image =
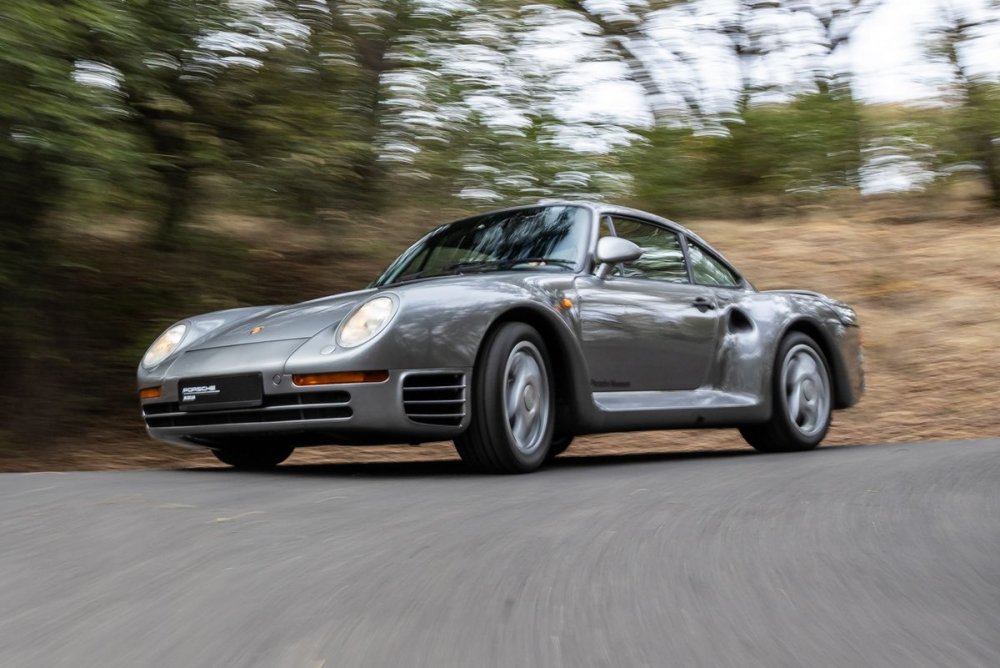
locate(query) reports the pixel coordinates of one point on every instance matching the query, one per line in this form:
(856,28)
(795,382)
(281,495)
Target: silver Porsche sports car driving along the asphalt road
(510,333)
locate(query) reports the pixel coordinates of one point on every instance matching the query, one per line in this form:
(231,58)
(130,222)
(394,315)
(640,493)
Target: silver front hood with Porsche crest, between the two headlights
(281,323)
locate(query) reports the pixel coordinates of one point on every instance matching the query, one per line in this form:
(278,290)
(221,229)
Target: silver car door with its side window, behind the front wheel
(647,326)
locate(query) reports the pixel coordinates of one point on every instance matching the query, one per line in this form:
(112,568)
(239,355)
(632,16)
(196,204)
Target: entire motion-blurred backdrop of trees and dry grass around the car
(160,158)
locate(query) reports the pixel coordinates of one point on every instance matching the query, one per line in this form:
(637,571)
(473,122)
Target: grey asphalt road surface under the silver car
(853,556)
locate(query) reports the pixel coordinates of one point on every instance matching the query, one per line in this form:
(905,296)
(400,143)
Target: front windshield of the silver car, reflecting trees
(548,238)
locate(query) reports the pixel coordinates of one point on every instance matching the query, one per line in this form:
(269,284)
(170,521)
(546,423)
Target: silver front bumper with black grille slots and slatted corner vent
(411,406)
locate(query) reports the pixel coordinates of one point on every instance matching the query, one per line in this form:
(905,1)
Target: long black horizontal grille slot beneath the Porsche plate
(276,408)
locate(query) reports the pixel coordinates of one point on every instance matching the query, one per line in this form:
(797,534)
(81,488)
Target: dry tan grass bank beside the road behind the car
(924,276)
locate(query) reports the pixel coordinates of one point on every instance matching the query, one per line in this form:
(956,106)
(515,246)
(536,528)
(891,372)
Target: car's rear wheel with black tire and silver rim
(799,367)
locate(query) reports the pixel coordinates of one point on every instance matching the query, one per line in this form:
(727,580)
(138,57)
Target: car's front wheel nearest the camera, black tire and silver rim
(513,366)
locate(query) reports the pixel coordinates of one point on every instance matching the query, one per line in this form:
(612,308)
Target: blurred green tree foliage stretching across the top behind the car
(167,112)
